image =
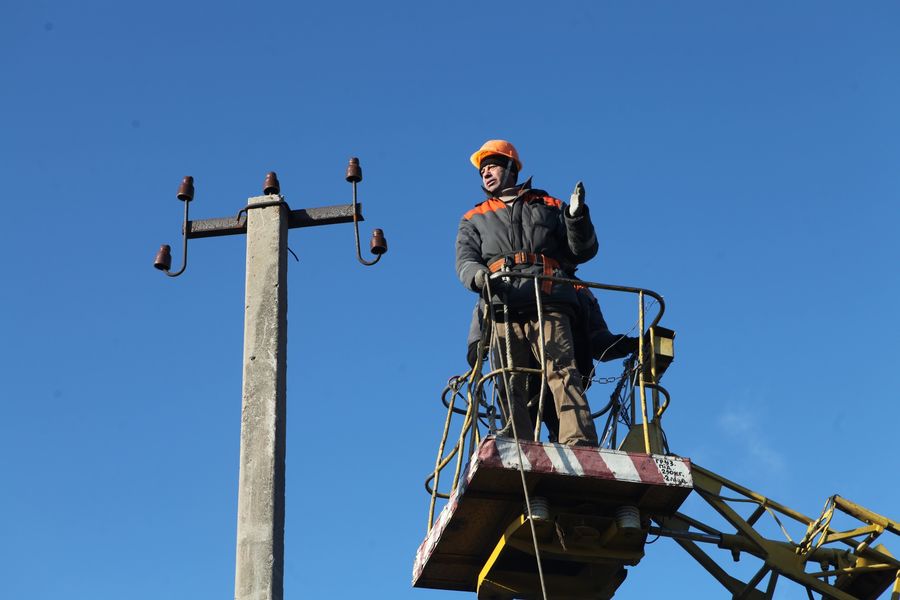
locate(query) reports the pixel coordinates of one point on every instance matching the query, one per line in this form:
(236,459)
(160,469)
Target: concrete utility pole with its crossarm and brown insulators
(259,569)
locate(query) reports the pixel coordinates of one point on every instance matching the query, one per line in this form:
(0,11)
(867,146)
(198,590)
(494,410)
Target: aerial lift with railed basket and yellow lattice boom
(538,520)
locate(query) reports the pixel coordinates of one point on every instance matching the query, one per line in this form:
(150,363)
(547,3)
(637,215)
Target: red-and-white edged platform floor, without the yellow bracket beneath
(576,480)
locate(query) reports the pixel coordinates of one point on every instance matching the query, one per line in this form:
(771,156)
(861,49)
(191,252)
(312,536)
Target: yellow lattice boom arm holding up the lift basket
(853,571)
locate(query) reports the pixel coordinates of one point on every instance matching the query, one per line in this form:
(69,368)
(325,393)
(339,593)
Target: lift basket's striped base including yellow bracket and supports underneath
(585,504)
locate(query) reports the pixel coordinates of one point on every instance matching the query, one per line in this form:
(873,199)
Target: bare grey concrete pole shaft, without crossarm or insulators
(259,570)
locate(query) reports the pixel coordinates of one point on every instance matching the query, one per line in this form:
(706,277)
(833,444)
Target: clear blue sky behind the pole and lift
(739,158)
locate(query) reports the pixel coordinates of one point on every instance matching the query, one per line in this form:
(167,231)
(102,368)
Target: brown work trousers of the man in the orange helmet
(563,378)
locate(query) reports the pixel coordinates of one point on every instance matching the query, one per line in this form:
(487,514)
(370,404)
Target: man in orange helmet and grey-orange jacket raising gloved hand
(521,229)
